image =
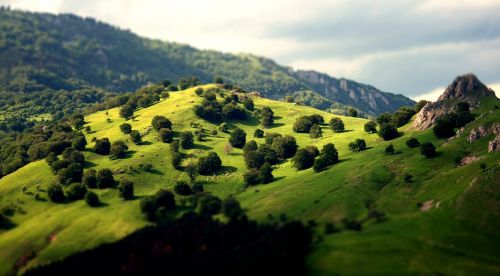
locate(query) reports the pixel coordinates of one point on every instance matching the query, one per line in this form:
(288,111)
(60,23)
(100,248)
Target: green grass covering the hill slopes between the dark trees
(458,235)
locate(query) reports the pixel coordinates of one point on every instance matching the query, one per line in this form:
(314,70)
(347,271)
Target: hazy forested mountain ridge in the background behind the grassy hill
(65,52)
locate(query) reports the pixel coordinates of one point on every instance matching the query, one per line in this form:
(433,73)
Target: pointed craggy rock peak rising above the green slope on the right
(466,88)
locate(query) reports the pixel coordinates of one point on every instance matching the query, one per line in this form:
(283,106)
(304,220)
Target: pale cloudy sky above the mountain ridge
(412,47)
